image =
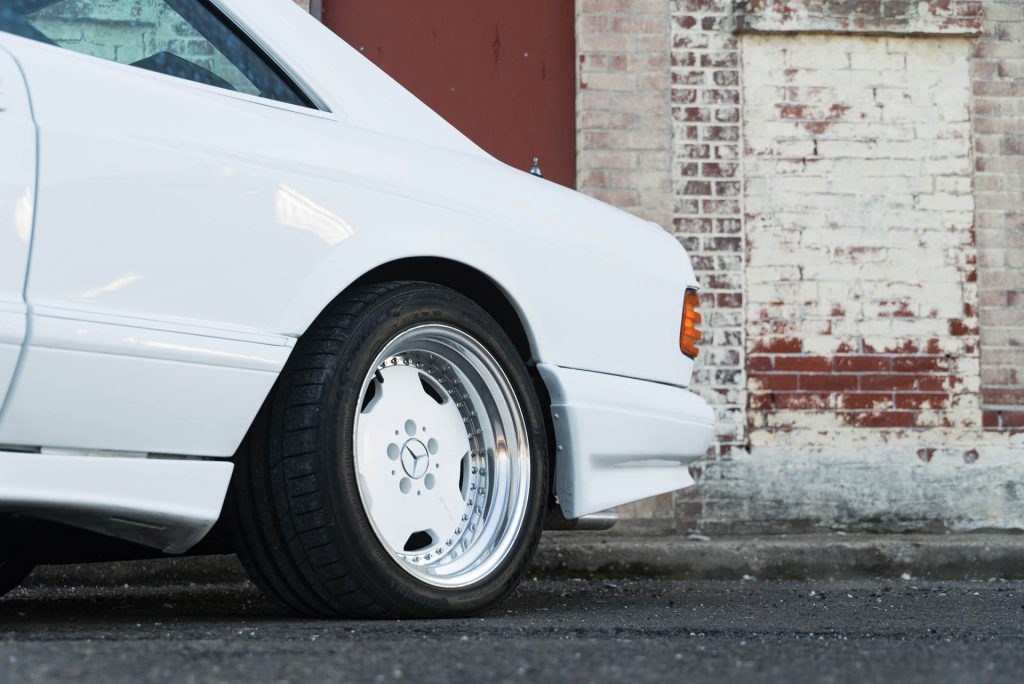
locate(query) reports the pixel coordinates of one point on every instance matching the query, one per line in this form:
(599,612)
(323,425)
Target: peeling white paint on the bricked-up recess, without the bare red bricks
(878,228)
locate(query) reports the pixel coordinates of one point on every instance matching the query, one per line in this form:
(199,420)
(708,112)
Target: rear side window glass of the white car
(189,39)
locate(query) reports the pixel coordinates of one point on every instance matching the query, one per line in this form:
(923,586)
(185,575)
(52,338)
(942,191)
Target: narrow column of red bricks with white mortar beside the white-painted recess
(708,211)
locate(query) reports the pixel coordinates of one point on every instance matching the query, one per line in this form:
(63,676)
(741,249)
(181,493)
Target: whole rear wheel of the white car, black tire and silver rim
(400,467)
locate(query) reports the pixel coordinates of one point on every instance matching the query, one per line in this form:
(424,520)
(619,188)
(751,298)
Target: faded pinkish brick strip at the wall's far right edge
(999,121)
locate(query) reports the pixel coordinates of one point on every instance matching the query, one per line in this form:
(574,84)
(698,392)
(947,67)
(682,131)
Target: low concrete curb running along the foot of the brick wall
(607,555)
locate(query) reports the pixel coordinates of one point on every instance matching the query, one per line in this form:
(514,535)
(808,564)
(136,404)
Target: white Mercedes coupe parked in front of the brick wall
(250,285)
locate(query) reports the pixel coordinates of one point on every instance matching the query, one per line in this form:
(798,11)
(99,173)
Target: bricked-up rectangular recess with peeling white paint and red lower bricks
(862,298)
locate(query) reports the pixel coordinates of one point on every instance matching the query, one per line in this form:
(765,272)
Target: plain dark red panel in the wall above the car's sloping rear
(501,72)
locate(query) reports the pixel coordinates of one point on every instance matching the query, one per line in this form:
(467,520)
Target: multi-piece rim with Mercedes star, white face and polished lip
(442,456)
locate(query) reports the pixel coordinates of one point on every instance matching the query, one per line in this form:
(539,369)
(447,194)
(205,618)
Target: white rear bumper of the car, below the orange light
(621,440)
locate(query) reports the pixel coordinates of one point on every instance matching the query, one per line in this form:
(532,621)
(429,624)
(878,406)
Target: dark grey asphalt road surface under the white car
(200,621)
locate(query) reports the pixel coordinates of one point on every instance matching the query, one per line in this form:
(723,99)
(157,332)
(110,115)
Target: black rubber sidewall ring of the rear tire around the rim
(399,591)
